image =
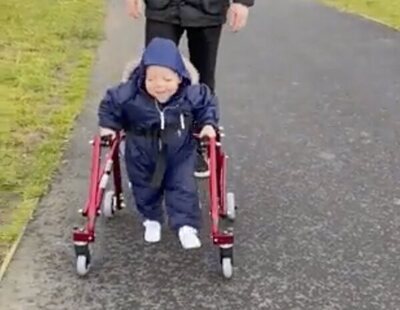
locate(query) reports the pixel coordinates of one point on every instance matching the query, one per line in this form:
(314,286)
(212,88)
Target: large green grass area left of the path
(47,48)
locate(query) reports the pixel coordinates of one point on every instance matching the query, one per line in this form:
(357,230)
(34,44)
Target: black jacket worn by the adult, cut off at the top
(190,13)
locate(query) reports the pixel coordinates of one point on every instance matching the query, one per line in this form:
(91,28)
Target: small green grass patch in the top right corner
(386,11)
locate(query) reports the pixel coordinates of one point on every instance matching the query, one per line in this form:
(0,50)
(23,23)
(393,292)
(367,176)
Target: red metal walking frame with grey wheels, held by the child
(106,203)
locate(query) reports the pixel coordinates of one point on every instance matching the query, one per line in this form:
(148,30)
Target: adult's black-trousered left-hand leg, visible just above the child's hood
(155,28)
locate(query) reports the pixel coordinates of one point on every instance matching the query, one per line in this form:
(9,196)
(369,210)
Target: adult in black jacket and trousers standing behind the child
(202,20)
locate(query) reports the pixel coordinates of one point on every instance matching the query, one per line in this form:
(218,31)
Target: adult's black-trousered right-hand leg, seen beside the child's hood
(203,45)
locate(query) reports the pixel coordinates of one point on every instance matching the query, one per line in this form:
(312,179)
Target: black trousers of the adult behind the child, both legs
(203,45)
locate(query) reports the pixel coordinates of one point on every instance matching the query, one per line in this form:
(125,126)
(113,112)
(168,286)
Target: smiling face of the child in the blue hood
(161,82)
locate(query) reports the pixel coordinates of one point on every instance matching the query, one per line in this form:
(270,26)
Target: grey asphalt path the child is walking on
(310,103)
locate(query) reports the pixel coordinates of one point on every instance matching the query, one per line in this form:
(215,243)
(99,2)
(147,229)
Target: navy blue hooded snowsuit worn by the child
(161,161)
